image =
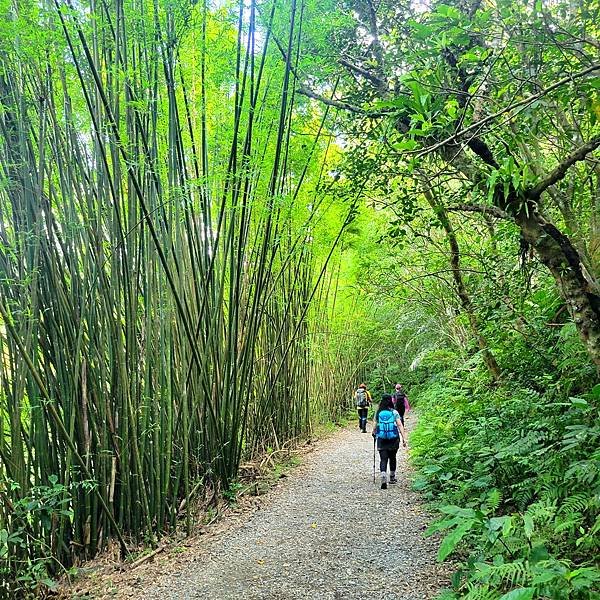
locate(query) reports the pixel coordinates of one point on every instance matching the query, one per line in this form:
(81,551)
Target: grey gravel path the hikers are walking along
(324,532)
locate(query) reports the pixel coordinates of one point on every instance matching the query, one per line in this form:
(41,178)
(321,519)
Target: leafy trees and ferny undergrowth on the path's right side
(459,111)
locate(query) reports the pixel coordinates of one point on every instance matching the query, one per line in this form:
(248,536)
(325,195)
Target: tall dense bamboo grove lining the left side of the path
(162,297)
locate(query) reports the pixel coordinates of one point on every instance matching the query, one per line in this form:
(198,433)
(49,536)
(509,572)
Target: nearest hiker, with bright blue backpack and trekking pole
(388,428)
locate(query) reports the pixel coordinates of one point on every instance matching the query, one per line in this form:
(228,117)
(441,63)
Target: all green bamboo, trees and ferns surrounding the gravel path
(184,259)
